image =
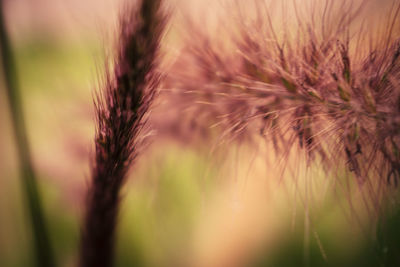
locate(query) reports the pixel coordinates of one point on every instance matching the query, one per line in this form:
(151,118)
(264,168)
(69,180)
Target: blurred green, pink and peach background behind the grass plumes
(185,204)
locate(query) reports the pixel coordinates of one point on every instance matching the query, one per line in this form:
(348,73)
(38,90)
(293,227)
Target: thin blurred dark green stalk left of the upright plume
(42,244)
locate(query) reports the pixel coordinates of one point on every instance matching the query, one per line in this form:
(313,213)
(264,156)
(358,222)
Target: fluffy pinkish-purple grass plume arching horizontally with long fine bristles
(323,85)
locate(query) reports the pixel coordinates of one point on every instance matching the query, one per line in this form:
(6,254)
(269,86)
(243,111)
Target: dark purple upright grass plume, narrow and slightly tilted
(122,107)
